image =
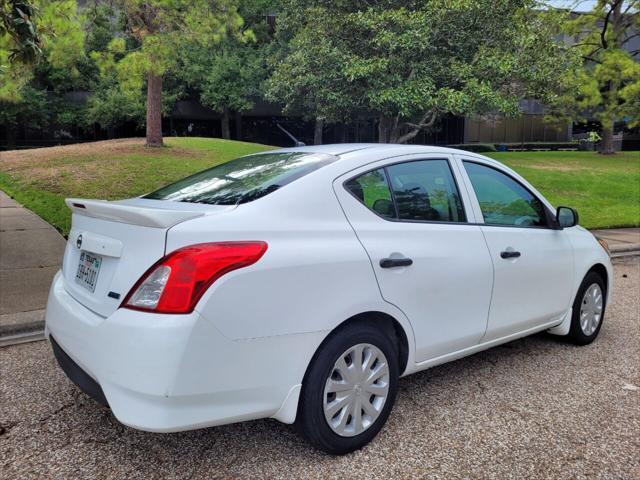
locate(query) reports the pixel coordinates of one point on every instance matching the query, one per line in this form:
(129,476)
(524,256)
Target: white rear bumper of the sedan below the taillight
(166,373)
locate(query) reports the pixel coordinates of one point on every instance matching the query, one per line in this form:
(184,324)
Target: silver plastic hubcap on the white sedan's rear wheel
(356,390)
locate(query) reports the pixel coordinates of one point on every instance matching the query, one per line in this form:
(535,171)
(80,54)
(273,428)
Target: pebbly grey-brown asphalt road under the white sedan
(534,408)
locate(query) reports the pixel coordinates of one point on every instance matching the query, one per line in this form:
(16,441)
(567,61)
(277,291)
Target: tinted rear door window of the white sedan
(423,190)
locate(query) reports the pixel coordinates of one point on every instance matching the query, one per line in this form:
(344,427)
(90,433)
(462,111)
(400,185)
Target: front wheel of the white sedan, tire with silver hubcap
(589,288)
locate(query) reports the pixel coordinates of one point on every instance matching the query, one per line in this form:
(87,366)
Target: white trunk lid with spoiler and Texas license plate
(111,244)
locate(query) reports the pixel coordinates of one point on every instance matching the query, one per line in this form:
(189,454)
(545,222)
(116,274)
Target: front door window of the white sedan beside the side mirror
(503,200)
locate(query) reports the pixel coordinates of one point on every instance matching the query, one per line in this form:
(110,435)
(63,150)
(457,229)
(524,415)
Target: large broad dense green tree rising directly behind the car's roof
(410,62)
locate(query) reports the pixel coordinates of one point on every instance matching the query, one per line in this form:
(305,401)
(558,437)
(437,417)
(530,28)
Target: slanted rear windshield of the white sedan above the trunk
(244,179)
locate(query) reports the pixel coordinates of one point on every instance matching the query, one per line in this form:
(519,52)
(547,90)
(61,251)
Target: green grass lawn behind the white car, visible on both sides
(604,190)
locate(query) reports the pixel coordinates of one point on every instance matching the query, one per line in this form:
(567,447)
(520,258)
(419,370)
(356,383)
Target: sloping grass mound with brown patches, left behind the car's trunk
(41,179)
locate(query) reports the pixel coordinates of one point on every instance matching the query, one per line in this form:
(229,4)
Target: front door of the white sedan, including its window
(533,262)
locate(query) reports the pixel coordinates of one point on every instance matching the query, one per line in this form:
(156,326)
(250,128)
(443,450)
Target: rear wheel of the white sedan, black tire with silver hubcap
(375,345)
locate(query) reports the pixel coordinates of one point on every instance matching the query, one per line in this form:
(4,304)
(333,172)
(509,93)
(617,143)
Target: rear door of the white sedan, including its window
(428,257)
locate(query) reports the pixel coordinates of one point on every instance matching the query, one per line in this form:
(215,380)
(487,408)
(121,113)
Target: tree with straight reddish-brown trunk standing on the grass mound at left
(160,27)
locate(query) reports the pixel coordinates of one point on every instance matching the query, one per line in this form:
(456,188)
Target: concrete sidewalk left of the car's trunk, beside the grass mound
(30,254)
